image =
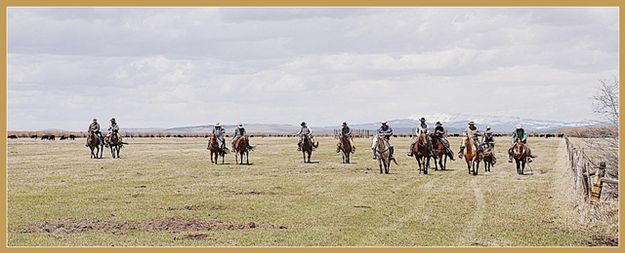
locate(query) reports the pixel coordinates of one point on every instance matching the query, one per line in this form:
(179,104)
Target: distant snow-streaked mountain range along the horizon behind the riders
(452,122)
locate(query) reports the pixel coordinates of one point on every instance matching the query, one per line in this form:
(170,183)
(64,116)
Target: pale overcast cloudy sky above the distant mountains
(170,67)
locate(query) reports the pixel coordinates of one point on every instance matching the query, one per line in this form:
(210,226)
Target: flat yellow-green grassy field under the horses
(166,192)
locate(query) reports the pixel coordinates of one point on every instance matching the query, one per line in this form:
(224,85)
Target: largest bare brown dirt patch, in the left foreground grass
(173,224)
